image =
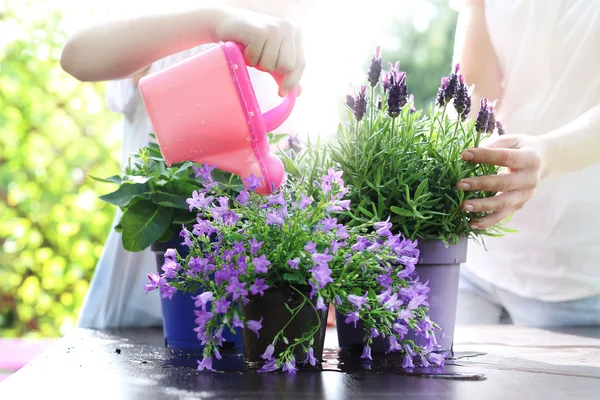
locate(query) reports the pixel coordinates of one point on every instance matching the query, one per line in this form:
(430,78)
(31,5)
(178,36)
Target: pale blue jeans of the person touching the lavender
(480,302)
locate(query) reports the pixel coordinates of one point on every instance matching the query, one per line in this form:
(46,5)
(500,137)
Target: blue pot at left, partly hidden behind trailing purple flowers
(178,313)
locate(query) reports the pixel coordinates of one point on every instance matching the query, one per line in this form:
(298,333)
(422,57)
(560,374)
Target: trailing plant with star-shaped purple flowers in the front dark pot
(245,245)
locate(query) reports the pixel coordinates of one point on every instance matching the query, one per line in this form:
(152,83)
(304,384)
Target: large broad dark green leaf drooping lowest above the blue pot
(143,225)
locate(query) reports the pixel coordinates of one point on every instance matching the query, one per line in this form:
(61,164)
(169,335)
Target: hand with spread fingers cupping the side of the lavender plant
(523,157)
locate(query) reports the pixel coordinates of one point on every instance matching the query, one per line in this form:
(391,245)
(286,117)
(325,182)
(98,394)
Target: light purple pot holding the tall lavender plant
(440,265)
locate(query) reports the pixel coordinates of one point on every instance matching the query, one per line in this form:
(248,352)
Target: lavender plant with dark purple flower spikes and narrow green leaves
(402,163)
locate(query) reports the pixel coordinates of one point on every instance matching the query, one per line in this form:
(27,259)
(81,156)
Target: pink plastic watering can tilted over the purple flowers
(204,109)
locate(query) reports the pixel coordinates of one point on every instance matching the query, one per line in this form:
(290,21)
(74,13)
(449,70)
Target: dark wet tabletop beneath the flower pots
(491,362)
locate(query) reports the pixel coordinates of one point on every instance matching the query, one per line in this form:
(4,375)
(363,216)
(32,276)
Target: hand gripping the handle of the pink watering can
(272,44)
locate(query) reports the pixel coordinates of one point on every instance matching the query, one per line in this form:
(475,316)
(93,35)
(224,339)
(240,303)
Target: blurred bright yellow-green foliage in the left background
(54,131)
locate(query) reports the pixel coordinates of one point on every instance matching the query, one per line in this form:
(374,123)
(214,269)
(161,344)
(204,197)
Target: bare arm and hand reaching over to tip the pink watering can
(120,48)
